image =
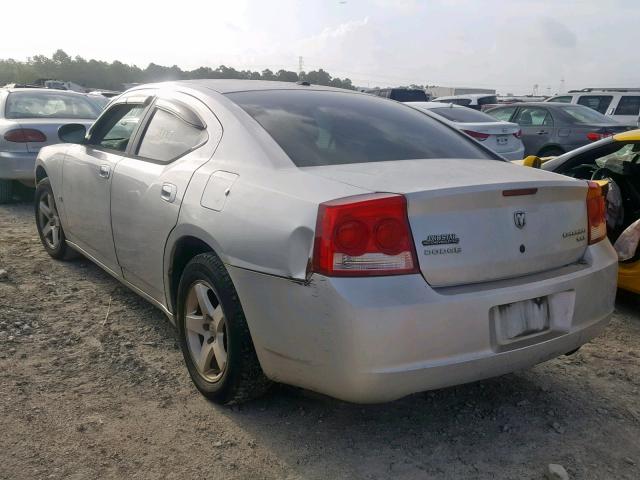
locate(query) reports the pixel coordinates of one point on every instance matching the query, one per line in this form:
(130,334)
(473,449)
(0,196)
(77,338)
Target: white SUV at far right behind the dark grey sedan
(621,104)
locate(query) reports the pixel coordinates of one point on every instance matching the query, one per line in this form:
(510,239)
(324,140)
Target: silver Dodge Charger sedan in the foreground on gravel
(327,239)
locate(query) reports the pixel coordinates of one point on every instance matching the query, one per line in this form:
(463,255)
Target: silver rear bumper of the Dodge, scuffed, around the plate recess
(380,338)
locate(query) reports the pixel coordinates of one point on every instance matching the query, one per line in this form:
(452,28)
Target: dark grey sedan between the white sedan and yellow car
(550,129)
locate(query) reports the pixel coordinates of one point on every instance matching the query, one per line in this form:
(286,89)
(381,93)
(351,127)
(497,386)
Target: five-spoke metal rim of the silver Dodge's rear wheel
(206,331)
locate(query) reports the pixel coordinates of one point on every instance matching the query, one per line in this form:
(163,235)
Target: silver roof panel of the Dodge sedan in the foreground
(231,85)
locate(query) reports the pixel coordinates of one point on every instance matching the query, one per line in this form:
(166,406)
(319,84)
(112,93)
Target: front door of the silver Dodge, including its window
(87,177)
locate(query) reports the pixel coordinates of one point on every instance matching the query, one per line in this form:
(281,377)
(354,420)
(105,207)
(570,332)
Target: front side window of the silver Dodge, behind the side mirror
(114,130)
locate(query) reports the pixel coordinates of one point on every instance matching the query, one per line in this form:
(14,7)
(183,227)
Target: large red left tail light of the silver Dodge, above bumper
(364,235)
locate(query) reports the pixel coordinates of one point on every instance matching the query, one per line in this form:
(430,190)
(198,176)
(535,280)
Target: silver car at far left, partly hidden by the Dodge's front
(29,120)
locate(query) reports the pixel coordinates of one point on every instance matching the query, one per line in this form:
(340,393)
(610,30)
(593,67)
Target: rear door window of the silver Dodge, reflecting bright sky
(168,137)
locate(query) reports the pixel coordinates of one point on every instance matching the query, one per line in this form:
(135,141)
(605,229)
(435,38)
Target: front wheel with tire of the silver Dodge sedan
(48,221)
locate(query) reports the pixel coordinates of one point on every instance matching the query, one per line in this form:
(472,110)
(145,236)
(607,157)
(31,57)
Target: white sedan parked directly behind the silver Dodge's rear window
(501,137)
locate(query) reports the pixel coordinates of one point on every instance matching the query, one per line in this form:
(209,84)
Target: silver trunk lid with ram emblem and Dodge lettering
(467,224)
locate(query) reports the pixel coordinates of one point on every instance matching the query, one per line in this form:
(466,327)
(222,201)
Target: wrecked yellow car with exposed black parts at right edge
(615,159)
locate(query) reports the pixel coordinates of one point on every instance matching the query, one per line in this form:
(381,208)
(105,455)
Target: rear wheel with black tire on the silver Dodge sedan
(214,335)
